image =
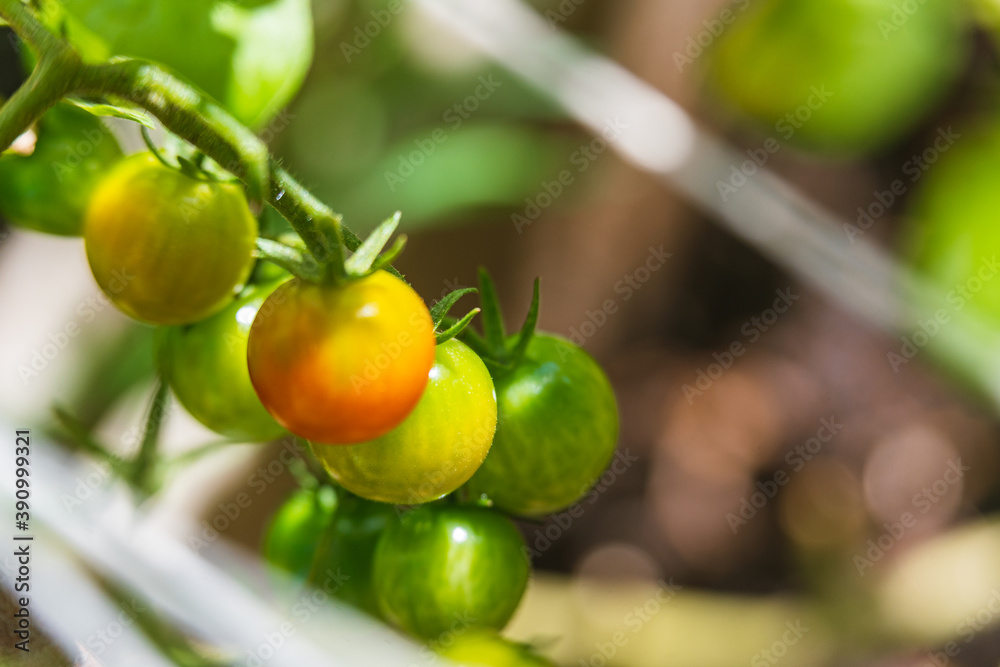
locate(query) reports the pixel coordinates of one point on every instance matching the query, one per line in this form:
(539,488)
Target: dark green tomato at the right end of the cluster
(557,430)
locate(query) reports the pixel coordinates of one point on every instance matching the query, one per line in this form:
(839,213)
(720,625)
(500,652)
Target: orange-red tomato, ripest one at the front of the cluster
(341,365)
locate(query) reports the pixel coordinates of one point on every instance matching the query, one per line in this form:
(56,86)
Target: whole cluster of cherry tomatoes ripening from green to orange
(428,438)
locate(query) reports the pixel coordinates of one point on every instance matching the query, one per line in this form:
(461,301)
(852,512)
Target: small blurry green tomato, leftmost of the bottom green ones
(294,534)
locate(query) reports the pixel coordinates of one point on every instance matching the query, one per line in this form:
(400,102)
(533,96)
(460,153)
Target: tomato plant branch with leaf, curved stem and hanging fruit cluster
(328,342)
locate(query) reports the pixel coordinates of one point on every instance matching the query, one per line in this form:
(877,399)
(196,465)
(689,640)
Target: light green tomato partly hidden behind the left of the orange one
(206,366)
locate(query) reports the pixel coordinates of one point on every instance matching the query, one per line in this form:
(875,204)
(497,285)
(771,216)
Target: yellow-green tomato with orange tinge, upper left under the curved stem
(166,248)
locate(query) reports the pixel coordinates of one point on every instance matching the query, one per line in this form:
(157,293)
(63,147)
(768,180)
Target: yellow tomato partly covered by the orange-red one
(438,446)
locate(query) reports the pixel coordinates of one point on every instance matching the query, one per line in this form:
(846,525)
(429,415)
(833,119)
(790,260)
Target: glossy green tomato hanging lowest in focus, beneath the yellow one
(448,568)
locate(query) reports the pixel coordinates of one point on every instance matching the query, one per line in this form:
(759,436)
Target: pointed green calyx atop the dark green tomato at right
(501,353)
